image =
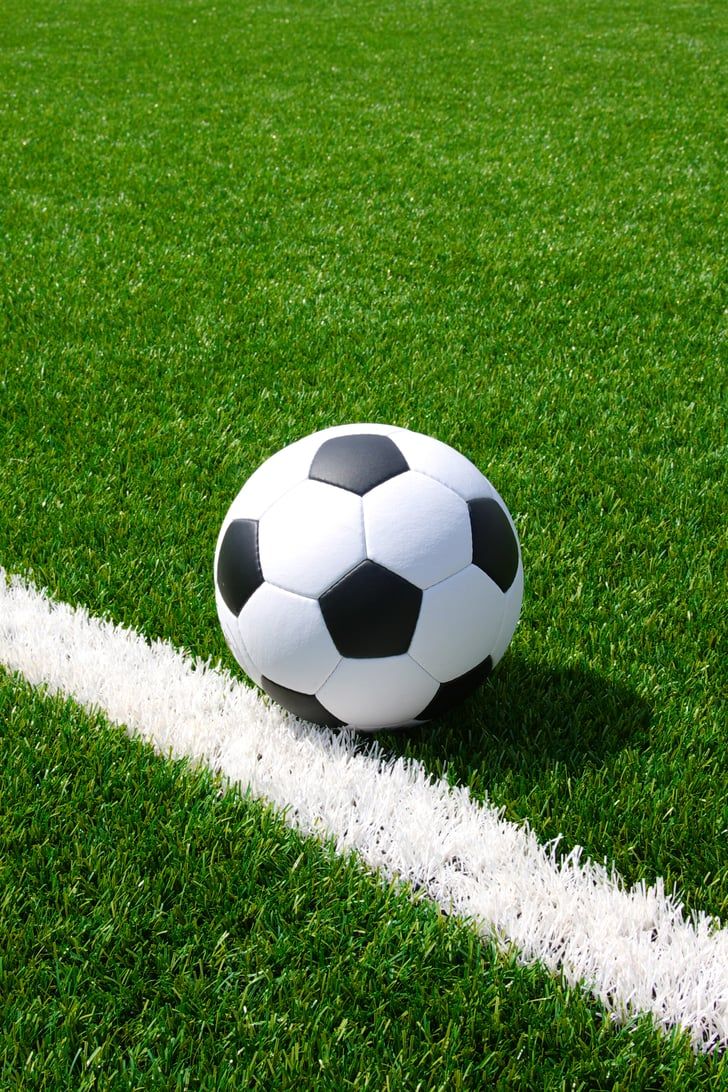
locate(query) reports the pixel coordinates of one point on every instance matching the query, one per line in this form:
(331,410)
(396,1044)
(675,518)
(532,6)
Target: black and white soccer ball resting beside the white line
(369,577)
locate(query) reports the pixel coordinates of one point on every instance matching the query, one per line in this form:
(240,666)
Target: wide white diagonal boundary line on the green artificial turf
(634,948)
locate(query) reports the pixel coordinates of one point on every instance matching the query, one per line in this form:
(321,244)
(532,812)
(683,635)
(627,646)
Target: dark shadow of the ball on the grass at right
(527,718)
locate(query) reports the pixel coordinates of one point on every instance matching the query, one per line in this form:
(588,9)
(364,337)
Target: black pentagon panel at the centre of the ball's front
(372,612)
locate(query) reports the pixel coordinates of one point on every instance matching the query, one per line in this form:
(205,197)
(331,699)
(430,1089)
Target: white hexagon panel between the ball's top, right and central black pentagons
(417,528)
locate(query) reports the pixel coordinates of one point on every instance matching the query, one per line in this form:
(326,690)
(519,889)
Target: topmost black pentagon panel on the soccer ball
(357,462)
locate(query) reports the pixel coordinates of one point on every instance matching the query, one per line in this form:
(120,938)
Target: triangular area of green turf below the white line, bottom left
(161,934)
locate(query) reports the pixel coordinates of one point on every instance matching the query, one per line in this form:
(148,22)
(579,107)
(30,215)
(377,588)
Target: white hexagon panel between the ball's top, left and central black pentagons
(311,538)
